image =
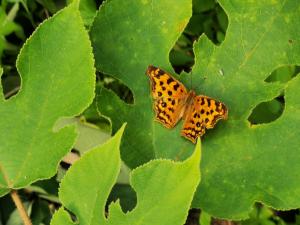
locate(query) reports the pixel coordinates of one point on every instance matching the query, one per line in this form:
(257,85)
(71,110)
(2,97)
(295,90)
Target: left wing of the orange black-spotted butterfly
(169,96)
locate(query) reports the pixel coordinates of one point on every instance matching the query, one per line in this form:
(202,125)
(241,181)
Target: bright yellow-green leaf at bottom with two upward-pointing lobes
(159,185)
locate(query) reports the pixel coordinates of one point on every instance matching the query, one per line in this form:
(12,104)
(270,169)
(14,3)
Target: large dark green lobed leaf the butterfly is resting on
(241,163)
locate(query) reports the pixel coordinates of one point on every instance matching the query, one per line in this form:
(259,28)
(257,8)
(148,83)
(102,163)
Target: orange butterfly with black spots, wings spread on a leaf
(172,102)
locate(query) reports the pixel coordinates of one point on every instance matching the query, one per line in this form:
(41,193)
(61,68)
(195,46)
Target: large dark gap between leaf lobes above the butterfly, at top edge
(208,17)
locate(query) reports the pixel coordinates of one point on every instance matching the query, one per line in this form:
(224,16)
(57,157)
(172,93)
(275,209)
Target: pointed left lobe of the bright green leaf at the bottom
(86,185)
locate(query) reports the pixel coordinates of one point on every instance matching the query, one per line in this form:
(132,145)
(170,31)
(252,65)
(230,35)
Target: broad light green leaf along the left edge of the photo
(56,67)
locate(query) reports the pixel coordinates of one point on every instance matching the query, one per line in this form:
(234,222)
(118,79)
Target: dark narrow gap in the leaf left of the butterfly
(116,86)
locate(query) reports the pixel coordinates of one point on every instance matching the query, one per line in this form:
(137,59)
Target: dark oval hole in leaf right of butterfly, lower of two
(267,112)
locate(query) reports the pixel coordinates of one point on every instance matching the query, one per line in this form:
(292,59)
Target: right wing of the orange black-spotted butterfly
(202,113)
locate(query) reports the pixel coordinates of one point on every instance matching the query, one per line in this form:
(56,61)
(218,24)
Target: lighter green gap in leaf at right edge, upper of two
(283,74)
